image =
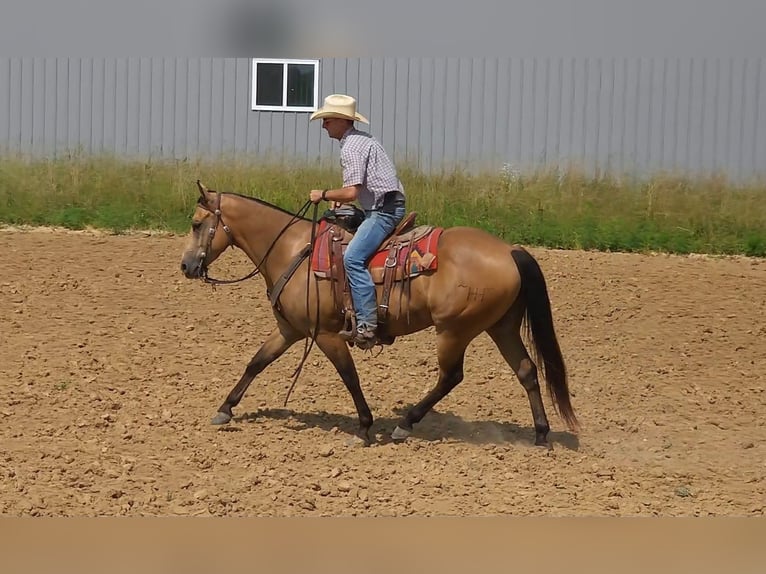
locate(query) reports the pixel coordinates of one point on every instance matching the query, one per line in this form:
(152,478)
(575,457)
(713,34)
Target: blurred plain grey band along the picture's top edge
(316,28)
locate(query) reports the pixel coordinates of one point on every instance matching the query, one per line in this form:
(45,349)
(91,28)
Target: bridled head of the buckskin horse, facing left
(208,237)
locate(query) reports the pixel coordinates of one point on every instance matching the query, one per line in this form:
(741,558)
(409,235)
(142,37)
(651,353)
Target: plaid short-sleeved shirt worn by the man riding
(365,163)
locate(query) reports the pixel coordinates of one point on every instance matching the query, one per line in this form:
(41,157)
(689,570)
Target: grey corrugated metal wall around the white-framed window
(623,115)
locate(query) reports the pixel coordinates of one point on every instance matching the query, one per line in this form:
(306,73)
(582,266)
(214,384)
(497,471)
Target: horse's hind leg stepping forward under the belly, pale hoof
(451,354)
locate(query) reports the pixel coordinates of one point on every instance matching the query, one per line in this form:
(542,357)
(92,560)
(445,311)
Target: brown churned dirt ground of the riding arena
(112,365)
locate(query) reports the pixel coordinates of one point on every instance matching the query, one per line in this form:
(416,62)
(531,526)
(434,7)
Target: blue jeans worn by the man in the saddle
(371,233)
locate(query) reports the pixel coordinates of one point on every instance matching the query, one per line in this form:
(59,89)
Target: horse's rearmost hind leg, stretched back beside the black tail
(506,336)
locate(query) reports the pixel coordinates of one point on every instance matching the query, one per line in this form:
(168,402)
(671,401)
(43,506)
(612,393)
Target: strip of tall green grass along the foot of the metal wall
(661,213)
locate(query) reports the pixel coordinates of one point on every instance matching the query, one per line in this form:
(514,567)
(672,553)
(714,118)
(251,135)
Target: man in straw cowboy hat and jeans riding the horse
(369,176)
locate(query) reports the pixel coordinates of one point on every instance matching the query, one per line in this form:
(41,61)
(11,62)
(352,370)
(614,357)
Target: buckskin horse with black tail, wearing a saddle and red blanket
(463,281)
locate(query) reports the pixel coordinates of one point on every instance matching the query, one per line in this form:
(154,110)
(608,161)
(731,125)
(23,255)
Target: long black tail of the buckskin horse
(539,321)
